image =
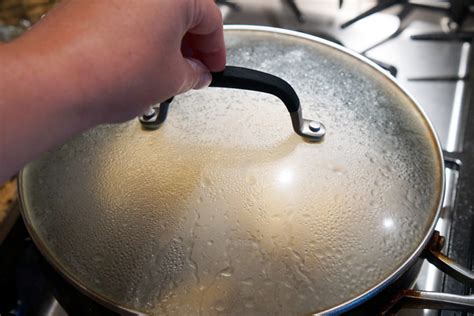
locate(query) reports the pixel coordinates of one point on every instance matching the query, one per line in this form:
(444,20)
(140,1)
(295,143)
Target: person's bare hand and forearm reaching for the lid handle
(92,62)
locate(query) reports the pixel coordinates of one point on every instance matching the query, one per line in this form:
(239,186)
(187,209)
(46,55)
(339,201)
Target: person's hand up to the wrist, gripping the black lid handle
(119,56)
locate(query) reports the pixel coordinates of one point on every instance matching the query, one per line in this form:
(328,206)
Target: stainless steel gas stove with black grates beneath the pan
(425,45)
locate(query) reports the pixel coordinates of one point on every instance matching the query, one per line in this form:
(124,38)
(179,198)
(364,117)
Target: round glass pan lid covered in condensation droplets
(225,209)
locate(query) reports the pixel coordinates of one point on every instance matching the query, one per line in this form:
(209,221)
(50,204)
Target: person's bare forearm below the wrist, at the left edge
(39,107)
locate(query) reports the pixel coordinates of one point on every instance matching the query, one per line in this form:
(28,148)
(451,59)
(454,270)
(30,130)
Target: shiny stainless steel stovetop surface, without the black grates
(435,73)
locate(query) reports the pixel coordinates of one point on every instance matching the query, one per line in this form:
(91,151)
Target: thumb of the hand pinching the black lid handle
(196,75)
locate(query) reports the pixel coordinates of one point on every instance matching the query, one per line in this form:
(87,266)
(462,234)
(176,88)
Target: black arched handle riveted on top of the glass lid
(250,79)
